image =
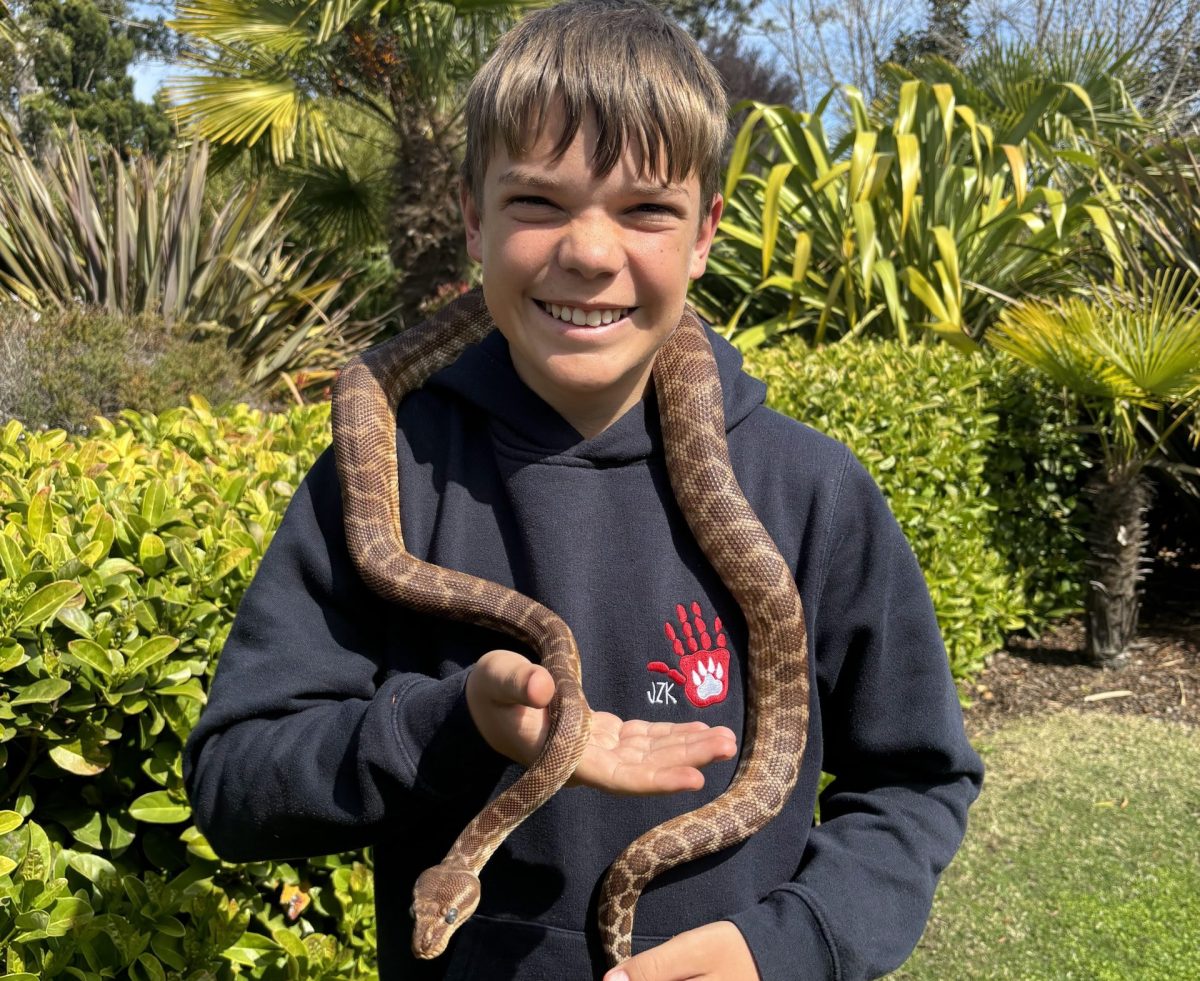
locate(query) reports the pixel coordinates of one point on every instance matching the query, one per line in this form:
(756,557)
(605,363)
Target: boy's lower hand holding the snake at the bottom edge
(713,953)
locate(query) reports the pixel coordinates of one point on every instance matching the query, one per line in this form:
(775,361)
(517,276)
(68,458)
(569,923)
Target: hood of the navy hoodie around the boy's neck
(485,378)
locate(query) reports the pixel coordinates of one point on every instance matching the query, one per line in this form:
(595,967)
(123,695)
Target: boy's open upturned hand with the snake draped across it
(508,695)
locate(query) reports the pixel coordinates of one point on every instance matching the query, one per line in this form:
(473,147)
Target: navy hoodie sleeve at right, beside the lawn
(904,772)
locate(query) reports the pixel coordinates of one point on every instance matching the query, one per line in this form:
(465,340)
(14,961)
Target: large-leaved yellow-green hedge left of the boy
(123,558)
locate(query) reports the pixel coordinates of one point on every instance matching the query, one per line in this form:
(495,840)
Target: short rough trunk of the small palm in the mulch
(1118,543)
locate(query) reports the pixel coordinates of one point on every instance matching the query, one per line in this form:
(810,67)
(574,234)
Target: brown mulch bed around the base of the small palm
(1048,675)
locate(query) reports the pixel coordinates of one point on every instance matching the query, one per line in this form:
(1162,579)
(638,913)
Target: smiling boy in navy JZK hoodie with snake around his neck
(338,721)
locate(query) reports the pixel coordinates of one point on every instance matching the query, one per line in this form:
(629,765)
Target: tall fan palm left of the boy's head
(278,80)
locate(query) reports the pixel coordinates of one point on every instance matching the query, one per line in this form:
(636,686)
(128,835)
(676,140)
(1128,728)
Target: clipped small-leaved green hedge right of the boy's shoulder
(982,470)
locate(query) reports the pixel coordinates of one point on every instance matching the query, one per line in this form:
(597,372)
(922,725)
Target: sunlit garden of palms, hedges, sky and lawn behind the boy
(964,239)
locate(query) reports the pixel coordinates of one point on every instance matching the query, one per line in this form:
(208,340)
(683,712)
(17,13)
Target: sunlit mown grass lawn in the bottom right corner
(1082,859)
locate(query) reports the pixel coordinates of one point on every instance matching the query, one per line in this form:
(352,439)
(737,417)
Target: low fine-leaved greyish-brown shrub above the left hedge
(61,369)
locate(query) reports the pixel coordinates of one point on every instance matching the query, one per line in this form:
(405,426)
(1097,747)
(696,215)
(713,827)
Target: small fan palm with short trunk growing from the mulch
(1129,357)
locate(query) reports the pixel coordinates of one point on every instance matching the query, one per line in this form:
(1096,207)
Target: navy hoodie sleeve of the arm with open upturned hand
(313,739)
